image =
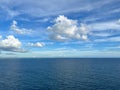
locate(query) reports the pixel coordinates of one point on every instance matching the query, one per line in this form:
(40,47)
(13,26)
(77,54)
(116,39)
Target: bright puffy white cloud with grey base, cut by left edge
(11,44)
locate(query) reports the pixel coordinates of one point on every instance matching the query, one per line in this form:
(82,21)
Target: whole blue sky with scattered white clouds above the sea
(59,28)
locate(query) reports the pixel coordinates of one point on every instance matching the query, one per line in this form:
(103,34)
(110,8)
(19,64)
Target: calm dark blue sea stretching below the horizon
(60,74)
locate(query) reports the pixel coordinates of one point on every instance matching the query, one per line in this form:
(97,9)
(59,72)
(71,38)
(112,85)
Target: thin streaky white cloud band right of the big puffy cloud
(108,29)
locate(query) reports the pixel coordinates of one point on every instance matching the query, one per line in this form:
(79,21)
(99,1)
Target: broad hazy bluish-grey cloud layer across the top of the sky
(42,8)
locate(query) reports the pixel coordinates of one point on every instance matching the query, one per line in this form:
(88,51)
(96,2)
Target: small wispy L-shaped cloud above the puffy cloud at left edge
(19,30)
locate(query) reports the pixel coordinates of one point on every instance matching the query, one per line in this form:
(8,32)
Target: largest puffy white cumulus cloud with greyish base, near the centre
(67,29)
